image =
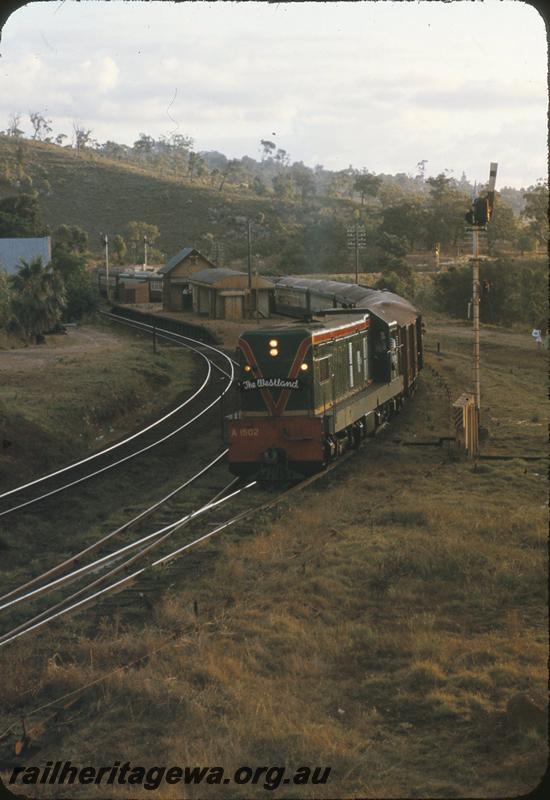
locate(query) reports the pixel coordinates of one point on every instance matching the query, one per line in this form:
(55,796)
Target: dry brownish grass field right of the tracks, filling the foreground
(389,622)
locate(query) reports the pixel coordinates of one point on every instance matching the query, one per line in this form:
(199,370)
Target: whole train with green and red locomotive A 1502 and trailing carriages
(314,386)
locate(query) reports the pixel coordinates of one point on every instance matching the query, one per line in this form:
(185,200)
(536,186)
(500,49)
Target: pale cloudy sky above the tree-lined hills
(378,85)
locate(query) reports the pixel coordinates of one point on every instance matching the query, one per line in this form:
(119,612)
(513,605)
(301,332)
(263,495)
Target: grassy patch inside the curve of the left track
(51,412)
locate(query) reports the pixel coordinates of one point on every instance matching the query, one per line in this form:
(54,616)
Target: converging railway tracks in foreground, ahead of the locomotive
(105,586)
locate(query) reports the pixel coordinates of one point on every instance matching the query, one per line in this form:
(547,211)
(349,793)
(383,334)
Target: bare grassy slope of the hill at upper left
(100,194)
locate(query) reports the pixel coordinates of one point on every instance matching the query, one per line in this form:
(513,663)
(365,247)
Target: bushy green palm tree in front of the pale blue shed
(38,297)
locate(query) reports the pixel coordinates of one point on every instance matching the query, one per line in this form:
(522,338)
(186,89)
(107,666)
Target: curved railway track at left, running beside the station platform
(192,409)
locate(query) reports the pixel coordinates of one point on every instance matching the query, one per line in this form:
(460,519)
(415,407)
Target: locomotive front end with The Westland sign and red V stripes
(274,434)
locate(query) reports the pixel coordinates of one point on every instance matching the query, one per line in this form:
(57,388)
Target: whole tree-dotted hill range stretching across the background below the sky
(300,216)
